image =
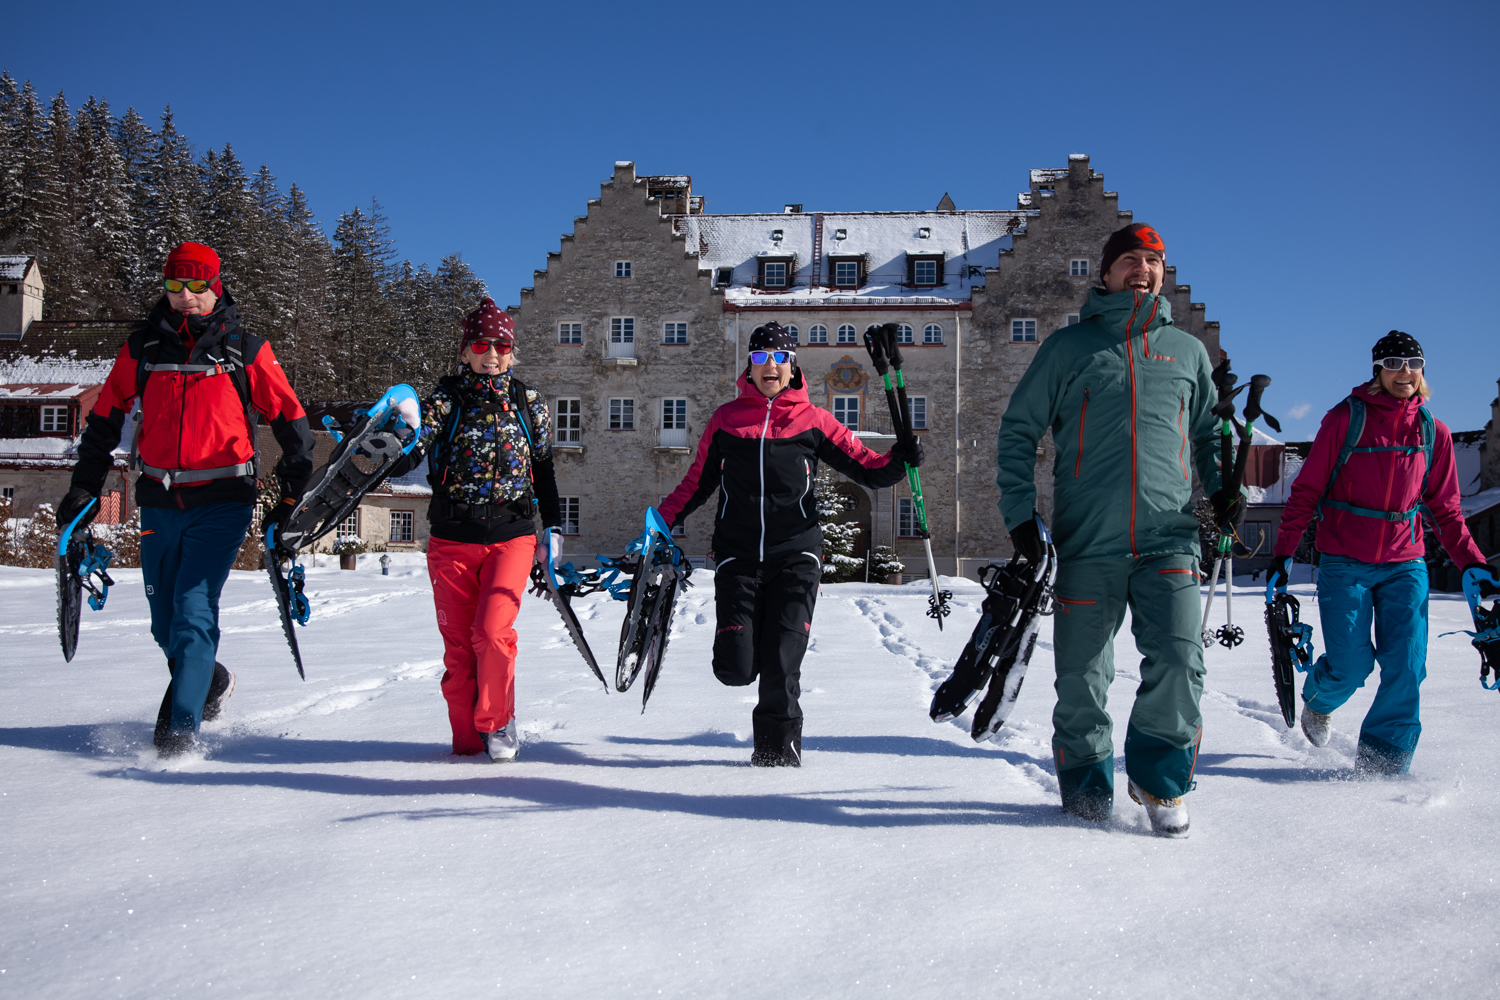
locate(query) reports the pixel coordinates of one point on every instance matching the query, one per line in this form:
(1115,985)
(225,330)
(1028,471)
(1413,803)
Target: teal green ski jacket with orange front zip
(1129,400)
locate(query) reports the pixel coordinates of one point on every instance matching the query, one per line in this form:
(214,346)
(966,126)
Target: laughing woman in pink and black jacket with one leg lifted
(761,454)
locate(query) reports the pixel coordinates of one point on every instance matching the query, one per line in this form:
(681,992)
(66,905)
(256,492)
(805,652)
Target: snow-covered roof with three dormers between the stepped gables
(883,239)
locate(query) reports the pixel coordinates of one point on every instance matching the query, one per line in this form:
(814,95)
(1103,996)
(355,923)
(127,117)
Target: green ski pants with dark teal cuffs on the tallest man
(1162,741)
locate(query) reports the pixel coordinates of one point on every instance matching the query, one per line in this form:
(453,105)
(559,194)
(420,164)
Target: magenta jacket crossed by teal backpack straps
(1378,481)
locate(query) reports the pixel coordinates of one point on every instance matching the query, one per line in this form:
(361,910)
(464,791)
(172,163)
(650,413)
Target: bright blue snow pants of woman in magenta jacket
(1349,596)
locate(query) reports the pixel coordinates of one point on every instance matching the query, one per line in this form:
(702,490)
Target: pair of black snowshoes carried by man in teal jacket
(1018,596)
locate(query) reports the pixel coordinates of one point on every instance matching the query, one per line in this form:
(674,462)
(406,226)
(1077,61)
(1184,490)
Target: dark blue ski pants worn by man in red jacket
(185,560)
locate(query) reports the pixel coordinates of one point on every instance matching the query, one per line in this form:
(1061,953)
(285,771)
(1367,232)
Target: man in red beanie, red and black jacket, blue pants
(202,382)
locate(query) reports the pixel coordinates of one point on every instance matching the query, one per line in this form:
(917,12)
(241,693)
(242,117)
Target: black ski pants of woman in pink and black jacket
(766,615)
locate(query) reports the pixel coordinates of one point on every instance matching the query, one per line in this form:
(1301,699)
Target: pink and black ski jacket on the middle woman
(763,455)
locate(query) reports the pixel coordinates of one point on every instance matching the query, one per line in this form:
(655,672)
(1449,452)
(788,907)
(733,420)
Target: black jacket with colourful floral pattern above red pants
(491,457)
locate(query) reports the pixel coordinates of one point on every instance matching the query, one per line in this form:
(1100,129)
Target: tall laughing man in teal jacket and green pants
(1129,400)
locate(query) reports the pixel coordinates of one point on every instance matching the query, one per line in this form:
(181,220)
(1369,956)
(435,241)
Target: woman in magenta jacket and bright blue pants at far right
(1370,507)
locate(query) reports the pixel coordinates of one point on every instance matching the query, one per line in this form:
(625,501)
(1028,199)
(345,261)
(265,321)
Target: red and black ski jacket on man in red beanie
(196,421)
